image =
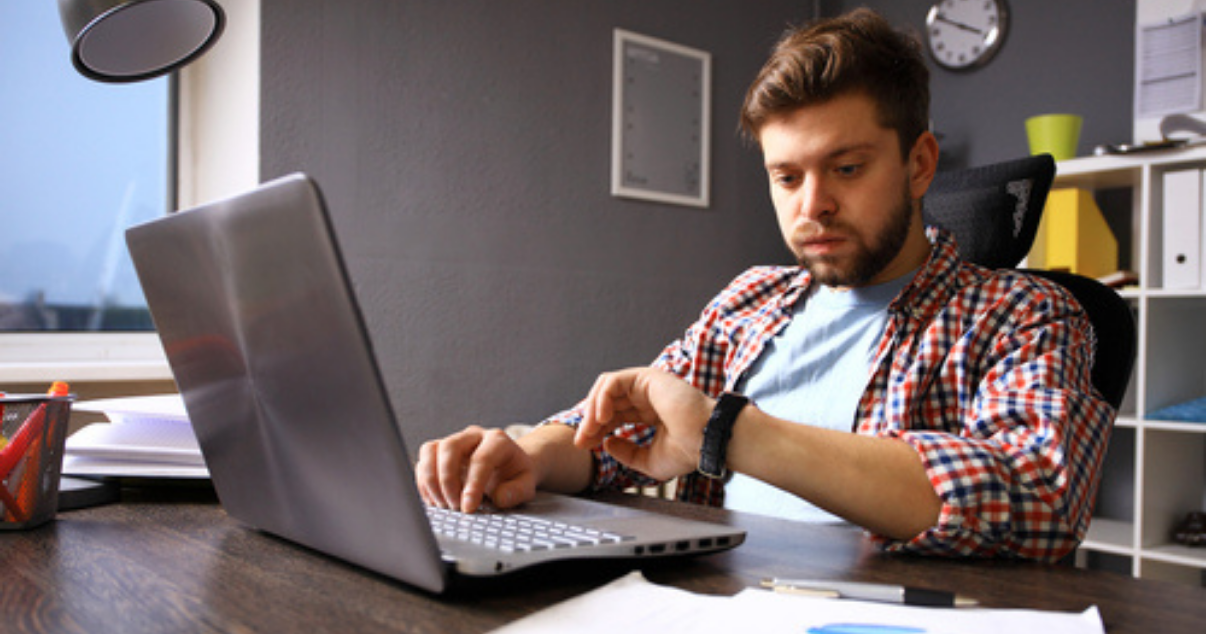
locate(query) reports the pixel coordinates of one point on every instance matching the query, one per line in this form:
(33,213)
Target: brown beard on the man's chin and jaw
(870,260)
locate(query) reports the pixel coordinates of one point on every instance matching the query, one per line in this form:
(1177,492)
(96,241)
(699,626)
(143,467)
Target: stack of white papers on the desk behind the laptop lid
(147,437)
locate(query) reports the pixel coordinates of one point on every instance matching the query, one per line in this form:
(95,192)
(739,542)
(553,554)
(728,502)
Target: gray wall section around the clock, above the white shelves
(1062,56)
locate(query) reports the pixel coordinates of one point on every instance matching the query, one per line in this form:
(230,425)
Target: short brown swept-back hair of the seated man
(857,52)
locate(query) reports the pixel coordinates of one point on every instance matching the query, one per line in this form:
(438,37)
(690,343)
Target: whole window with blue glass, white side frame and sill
(80,269)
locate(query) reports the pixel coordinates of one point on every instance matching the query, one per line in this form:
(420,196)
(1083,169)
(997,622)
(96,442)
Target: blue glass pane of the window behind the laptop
(81,162)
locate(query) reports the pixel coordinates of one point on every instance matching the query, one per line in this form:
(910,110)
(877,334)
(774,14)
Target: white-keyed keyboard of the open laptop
(517,532)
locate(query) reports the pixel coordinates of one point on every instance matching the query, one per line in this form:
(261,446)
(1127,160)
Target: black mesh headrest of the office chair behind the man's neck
(993,210)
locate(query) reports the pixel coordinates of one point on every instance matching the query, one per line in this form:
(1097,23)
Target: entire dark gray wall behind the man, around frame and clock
(465,145)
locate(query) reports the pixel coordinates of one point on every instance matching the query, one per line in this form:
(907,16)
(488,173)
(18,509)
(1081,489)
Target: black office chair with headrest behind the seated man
(994,214)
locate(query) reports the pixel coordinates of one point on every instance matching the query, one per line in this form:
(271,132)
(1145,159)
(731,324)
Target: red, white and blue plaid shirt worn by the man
(985,373)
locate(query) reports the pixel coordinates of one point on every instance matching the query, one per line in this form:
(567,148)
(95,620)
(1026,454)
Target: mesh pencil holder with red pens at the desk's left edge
(32,439)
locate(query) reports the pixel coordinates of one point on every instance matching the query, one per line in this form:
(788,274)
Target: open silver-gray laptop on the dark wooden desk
(261,327)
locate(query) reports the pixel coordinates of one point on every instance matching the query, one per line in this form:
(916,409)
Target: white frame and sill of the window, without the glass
(214,151)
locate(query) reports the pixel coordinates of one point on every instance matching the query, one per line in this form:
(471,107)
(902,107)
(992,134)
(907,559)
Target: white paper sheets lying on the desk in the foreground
(634,606)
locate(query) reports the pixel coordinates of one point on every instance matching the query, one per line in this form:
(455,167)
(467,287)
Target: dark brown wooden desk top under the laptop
(182,565)
